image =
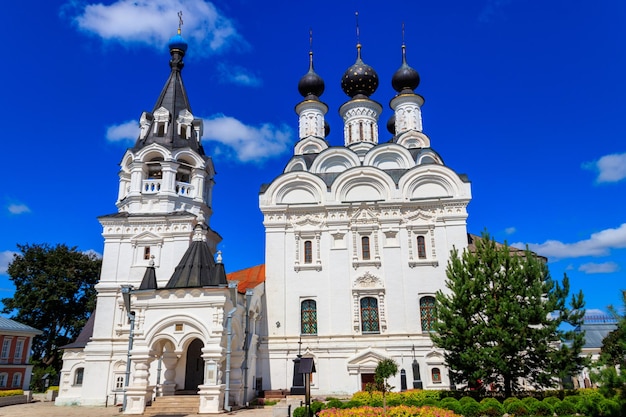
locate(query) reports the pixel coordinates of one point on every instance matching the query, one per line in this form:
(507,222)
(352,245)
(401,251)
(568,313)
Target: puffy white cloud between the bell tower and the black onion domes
(246,143)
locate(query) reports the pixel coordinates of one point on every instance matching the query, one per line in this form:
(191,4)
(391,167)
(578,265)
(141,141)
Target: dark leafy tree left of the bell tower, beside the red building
(54,292)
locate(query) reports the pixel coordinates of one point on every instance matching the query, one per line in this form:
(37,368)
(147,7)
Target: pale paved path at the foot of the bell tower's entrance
(48,409)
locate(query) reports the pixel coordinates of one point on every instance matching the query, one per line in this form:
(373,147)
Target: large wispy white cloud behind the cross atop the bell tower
(153,22)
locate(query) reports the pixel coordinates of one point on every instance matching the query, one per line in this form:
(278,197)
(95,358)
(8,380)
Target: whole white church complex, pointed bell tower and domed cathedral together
(357,241)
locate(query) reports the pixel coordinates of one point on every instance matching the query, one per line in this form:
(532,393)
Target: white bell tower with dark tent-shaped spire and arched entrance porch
(167,320)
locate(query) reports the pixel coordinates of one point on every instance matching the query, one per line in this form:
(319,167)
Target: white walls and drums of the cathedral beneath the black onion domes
(354,229)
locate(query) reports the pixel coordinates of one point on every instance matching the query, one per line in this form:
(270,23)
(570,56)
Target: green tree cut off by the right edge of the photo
(610,373)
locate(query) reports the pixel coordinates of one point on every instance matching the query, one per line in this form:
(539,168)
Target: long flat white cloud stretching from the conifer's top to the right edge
(598,244)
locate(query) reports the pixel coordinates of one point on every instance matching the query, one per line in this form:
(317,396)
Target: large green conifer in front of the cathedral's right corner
(503,318)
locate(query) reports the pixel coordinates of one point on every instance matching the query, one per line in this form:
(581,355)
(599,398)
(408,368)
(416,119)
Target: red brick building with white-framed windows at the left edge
(16,340)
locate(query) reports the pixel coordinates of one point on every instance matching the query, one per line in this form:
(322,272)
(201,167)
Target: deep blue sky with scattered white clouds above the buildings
(526,98)
